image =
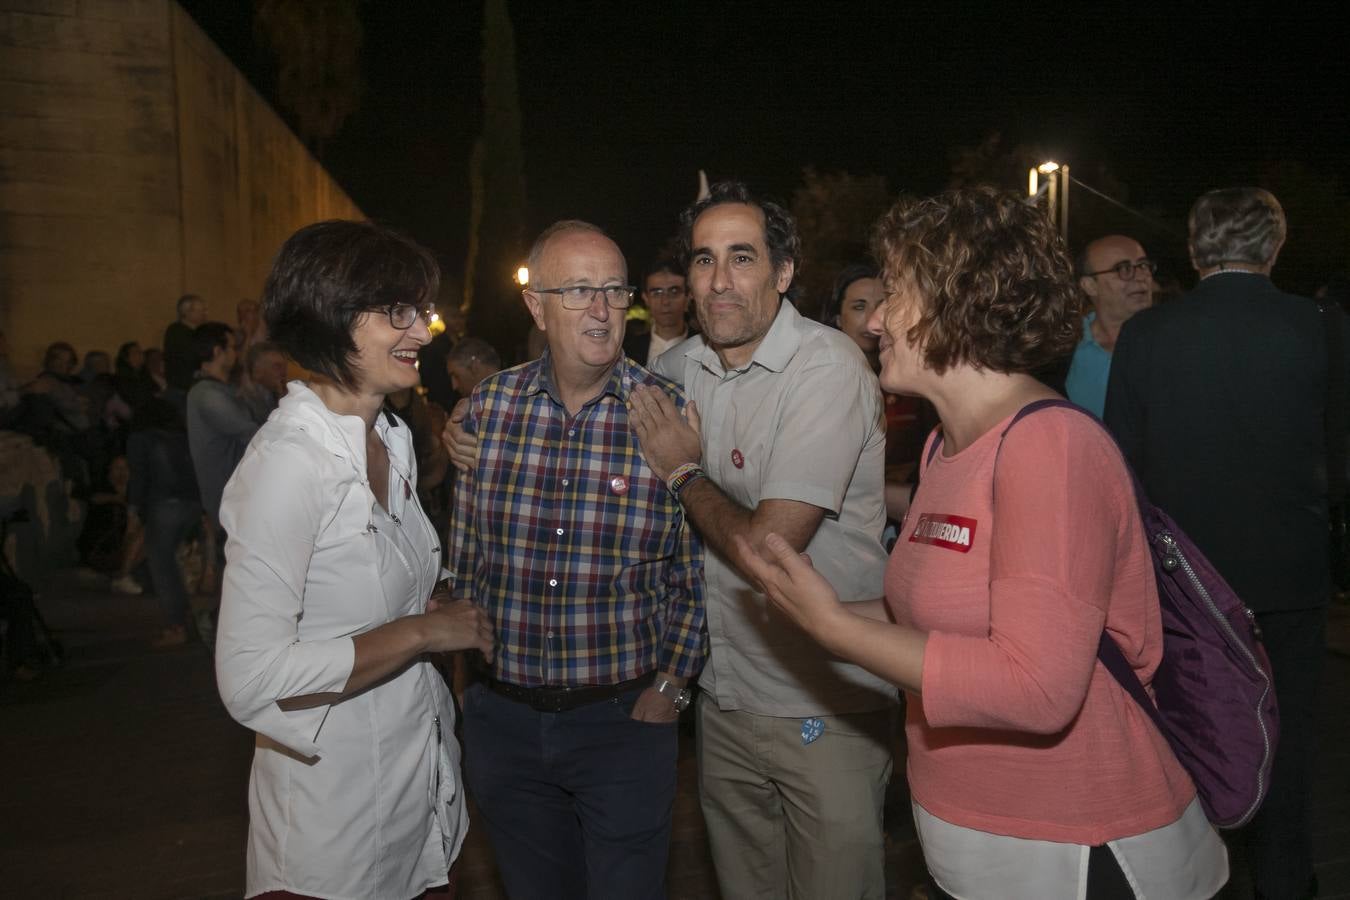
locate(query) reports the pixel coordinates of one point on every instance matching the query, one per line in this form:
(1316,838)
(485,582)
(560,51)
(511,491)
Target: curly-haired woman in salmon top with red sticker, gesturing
(1033,774)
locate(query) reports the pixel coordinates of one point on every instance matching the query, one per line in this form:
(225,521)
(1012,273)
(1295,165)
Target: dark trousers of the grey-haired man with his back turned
(1279,839)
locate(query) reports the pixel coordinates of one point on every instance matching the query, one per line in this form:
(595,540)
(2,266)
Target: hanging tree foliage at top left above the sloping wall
(318,52)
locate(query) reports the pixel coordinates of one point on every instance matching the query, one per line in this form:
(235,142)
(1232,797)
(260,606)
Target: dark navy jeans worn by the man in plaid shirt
(577,805)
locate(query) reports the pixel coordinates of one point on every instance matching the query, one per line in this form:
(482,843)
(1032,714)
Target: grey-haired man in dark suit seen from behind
(1217,400)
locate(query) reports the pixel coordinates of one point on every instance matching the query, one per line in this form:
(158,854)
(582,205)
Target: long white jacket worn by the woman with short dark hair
(360,798)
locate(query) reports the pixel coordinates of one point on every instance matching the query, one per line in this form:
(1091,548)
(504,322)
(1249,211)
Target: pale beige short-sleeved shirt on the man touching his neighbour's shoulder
(803,422)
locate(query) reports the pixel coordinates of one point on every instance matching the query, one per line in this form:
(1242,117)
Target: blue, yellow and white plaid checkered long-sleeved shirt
(577,550)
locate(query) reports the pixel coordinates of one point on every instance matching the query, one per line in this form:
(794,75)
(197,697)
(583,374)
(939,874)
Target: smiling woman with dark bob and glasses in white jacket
(326,616)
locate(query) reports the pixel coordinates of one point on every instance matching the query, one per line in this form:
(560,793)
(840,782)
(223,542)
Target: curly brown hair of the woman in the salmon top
(994,276)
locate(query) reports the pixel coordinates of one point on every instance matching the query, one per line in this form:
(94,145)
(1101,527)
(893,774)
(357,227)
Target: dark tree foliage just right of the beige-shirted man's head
(835,217)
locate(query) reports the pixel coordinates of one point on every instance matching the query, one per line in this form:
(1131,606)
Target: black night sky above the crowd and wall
(623,103)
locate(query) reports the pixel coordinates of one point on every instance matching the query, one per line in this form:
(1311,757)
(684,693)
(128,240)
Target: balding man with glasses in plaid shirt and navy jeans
(595,584)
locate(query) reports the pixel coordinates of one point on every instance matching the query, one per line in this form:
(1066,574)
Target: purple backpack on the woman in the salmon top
(1214,693)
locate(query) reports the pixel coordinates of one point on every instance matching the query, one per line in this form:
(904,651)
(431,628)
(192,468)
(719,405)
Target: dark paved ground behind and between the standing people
(124,777)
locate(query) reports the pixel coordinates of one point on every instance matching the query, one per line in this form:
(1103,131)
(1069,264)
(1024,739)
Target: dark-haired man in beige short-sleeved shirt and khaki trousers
(794,748)
